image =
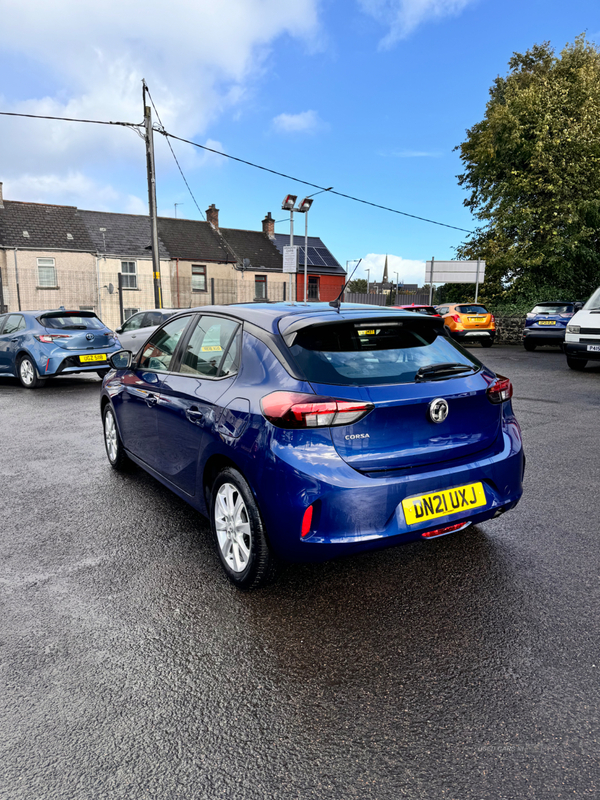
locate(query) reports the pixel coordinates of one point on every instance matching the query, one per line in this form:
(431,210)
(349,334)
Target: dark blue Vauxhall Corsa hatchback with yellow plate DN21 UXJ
(306,432)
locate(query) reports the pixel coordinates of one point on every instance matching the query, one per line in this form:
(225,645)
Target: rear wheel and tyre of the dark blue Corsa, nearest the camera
(238,532)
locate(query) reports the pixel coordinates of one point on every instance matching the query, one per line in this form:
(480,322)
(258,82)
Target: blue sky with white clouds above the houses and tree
(367,96)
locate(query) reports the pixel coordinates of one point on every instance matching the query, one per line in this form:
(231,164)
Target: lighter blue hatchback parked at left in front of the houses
(36,345)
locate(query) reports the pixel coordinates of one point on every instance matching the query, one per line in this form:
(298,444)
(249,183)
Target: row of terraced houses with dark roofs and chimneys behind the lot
(52,256)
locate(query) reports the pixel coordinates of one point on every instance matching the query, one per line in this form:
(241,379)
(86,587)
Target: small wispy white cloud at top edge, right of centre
(403,16)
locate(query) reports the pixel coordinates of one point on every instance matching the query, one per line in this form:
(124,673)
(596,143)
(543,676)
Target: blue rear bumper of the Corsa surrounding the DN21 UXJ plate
(353,512)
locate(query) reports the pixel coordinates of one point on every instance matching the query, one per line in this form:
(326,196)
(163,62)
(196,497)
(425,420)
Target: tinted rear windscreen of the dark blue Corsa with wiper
(372,353)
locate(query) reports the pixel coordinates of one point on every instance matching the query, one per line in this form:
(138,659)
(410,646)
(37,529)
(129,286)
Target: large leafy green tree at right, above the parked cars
(532,167)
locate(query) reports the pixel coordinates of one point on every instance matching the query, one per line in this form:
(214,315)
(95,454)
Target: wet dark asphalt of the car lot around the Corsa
(466,667)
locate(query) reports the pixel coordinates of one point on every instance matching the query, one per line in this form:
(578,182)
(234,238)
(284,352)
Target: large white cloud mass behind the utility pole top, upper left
(199,58)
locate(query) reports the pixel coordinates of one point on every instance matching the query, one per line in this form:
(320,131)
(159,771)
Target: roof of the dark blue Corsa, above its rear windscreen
(276,317)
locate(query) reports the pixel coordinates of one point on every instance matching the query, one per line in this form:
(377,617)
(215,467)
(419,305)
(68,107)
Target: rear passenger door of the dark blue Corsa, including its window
(188,408)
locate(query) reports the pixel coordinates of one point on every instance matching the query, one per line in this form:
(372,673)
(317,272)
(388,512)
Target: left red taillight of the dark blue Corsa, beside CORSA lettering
(296,410)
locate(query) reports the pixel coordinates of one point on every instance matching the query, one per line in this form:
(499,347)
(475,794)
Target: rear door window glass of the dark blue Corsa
(213,349)
